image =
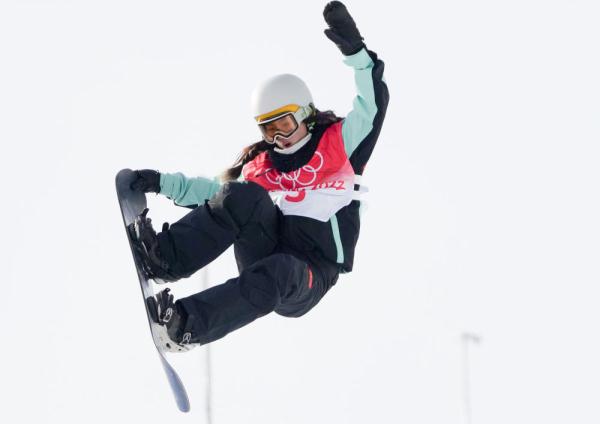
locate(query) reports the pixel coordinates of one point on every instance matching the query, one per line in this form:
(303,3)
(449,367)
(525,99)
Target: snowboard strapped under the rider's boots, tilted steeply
(132,204)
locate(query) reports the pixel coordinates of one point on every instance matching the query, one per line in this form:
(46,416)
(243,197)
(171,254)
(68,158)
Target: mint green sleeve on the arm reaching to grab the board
(186,191)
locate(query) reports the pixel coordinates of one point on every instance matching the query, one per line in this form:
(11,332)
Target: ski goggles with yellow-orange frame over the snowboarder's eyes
(283,122)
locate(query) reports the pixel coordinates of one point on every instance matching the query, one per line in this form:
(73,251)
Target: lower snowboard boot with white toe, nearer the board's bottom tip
(169,331)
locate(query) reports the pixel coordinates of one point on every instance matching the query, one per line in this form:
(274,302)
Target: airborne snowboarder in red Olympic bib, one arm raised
(288,205)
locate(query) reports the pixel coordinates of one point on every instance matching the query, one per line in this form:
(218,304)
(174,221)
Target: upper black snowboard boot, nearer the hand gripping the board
(147,250)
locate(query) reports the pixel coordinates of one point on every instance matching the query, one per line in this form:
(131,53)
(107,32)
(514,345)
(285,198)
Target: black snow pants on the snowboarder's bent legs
(273,276)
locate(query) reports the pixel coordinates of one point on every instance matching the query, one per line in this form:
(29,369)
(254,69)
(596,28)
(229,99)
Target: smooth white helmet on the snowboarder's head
(284,94)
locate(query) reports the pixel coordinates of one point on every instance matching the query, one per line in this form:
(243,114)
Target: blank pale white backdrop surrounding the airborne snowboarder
(483,213)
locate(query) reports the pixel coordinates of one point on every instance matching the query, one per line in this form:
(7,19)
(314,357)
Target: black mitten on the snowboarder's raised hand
(342,28)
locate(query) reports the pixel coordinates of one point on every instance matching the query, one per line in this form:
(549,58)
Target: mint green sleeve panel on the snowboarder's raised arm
(359,121)
